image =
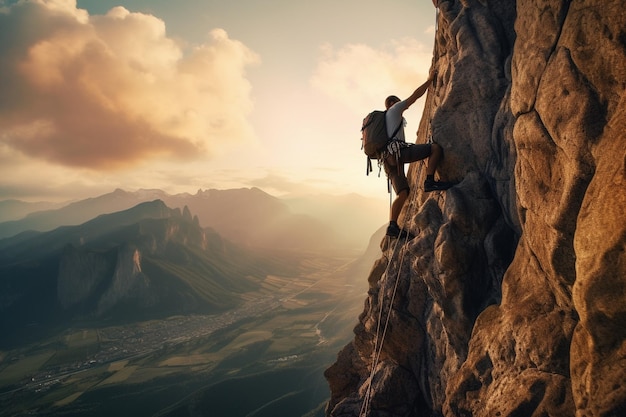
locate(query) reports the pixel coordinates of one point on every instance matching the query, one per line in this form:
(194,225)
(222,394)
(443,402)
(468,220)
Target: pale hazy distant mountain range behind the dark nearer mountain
(247,216)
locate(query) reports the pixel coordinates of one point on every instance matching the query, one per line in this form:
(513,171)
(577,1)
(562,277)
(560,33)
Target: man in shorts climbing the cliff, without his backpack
(399,152)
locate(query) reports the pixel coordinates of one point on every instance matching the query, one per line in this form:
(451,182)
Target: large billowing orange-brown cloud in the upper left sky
(108,91)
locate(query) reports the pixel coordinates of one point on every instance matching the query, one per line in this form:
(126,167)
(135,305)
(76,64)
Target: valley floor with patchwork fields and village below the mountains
(265,358)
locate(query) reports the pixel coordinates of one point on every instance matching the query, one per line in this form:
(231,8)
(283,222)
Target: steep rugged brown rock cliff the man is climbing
(511,299)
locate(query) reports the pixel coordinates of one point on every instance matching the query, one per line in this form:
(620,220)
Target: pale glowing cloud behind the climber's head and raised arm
(356,74)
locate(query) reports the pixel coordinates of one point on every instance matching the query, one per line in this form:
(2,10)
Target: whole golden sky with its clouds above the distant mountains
(198,94)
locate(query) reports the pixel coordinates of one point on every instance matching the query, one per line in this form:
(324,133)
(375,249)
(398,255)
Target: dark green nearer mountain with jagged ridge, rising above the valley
(148,261)
